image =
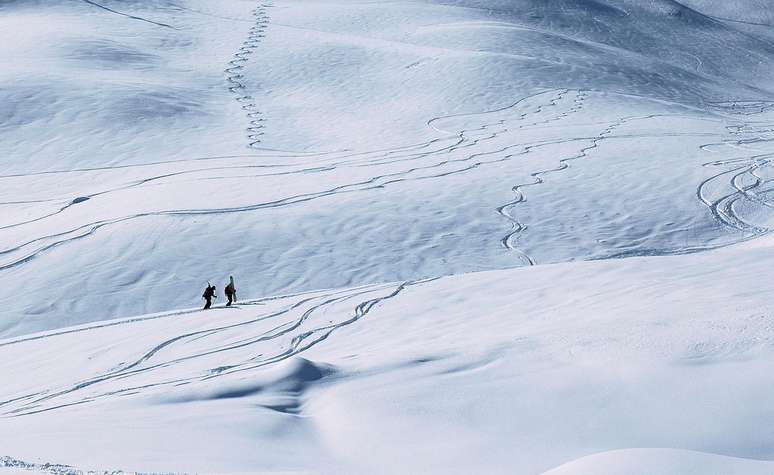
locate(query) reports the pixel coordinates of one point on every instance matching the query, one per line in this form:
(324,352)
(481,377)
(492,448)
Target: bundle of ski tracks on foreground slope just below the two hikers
(293,335)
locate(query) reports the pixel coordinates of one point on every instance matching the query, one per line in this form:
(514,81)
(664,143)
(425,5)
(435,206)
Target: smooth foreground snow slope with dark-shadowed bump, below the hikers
(515,371)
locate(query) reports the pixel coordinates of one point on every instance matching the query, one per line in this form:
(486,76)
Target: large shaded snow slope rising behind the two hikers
(408,131)
